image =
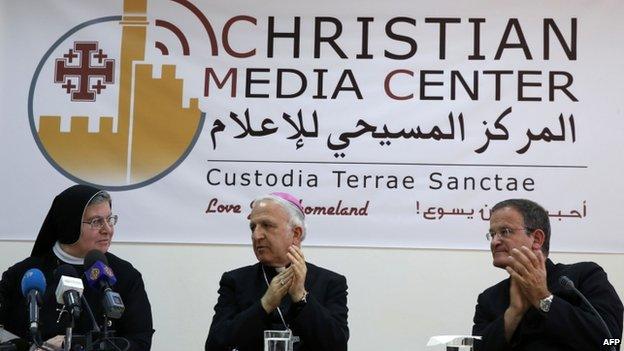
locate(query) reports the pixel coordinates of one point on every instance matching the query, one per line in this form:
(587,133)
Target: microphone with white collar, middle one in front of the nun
(69,289)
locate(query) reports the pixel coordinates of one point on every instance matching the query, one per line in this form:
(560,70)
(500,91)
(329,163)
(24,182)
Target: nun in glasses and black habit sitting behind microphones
(79,221)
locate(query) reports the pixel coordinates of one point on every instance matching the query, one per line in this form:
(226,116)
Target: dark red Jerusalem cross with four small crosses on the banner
(84,71)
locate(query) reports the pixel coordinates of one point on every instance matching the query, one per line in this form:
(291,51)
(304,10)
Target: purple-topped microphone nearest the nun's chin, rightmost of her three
(101,277)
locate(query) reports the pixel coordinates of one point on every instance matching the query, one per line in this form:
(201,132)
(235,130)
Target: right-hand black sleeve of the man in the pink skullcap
(323,326)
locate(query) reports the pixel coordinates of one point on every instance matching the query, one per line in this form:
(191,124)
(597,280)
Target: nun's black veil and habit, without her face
(63,224)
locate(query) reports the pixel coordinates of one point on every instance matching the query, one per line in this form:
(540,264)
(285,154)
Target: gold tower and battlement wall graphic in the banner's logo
(153,130)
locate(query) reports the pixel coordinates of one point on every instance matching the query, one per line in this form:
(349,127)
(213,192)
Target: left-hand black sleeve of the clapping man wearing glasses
(490,327)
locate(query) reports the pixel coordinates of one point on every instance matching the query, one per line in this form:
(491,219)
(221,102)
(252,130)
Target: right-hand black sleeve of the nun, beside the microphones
(136,322)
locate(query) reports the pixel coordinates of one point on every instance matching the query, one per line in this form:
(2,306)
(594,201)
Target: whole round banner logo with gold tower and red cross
(99,114)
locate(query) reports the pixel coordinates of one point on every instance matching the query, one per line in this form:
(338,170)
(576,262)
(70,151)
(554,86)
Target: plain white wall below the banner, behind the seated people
(397,297)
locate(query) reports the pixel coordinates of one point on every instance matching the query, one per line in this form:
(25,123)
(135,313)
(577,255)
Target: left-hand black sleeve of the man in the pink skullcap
(231,327)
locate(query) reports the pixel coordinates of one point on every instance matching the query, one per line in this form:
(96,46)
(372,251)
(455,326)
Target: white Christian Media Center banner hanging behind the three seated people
(398,124)
